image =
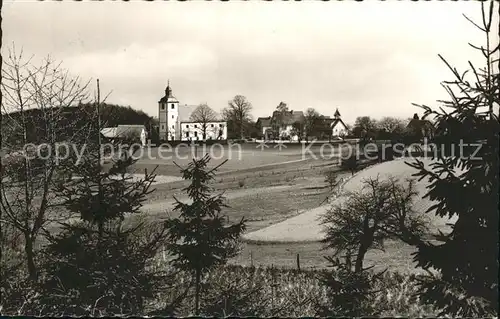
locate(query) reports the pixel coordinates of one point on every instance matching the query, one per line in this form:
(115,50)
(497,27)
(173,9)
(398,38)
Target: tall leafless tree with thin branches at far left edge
(35,110)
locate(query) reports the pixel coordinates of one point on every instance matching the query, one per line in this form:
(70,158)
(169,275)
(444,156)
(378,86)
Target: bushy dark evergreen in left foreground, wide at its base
(101,263)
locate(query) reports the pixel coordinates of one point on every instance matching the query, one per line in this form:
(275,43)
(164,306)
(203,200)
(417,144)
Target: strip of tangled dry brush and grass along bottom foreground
(279,292)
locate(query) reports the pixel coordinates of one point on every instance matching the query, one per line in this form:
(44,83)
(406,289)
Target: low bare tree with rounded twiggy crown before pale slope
(380,210)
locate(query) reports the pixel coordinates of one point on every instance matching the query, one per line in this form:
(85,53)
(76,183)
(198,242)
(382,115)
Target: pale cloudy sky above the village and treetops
(364,58)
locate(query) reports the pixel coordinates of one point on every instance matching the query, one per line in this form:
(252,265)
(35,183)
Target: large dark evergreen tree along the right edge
(467,258)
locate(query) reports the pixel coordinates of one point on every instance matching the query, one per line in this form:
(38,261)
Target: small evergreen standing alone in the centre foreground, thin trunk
(200,238)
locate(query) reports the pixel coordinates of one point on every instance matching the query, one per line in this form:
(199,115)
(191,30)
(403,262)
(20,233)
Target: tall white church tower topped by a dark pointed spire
(168,114)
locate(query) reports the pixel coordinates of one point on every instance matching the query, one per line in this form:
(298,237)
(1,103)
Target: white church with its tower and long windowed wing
(175,122)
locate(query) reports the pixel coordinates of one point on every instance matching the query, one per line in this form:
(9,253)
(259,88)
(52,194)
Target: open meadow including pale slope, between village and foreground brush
(281,201)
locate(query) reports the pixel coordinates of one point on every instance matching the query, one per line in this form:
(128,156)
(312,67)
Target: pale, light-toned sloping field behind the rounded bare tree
(306,227)
